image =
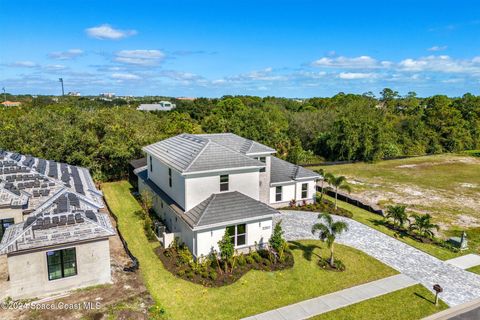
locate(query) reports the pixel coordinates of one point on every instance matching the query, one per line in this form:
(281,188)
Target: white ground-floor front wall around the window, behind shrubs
(258,231)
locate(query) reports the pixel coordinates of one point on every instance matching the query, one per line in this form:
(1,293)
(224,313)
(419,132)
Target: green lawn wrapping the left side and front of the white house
(256,292)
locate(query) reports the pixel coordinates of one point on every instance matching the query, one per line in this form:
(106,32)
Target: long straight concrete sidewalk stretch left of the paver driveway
(309,308)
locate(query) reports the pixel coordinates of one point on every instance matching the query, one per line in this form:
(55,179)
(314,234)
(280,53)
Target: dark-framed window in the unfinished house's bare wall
(61,263)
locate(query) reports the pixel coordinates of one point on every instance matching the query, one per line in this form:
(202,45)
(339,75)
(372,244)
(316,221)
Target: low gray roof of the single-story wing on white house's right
(283,171)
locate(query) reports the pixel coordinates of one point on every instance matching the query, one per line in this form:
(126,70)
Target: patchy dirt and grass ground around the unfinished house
(126,298)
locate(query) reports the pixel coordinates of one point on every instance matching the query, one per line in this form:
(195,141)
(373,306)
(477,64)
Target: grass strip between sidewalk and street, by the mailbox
(411,303)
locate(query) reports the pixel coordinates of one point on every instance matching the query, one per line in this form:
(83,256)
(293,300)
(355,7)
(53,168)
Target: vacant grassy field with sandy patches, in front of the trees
(446,186)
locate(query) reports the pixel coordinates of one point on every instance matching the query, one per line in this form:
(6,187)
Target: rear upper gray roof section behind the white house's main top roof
(237,143)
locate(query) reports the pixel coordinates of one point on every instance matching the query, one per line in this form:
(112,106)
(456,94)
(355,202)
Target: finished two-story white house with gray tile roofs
(206,184)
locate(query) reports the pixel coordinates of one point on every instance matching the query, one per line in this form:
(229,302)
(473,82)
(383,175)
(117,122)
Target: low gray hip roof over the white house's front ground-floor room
(226,207)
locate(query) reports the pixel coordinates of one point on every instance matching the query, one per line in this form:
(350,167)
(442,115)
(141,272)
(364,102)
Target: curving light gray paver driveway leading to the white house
(459,286)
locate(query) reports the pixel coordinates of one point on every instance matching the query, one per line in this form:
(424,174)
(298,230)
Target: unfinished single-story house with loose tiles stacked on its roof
(54,228)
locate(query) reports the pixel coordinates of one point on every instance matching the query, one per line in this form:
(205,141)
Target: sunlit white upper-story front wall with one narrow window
(200,187)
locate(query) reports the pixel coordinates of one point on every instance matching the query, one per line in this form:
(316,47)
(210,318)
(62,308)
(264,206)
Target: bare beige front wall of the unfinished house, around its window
(29,271)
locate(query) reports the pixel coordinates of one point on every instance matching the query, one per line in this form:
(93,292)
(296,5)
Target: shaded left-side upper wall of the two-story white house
(159,175)
